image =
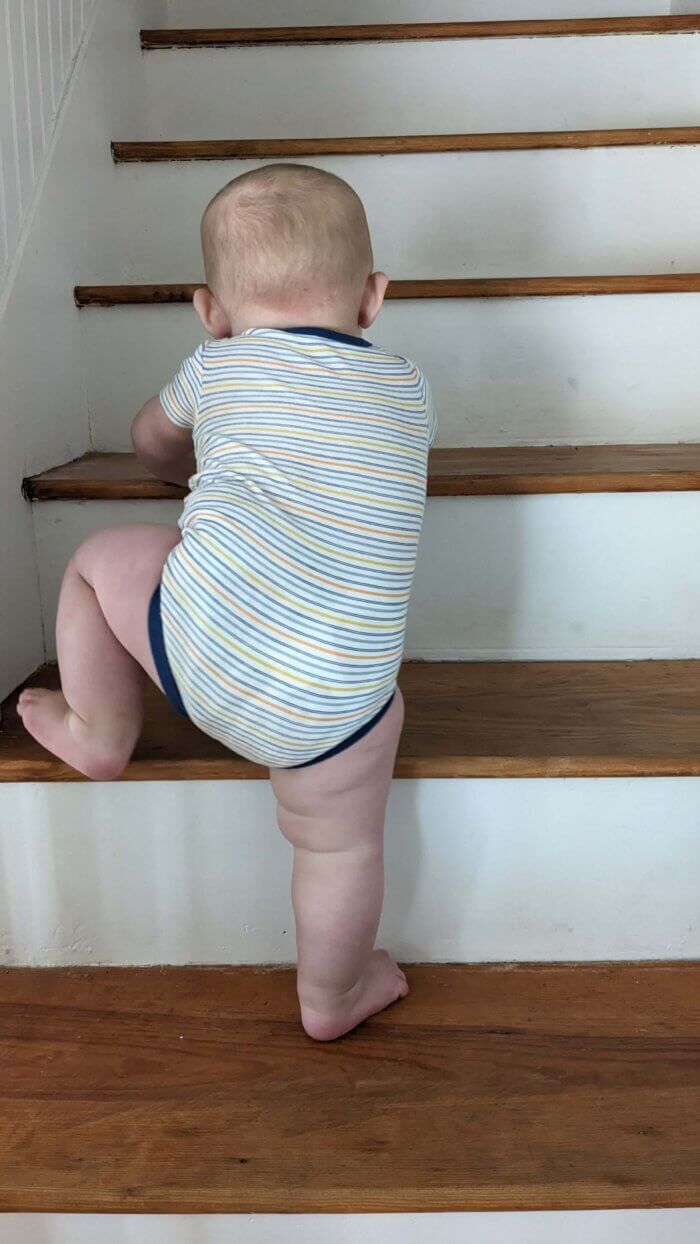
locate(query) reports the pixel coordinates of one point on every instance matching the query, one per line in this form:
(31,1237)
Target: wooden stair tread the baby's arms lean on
(482,472)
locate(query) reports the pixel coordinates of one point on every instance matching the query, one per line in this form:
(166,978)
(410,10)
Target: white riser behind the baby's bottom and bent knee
(543,578)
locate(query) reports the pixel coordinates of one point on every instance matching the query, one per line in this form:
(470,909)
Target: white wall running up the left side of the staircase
(43,404)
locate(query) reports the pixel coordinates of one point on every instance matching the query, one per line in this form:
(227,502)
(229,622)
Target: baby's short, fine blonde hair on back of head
(287,234)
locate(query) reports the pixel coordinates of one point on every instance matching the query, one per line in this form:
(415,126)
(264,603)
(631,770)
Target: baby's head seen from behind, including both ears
(288,246)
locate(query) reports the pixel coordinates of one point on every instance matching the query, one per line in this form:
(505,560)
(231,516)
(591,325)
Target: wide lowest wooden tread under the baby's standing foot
(195,1090)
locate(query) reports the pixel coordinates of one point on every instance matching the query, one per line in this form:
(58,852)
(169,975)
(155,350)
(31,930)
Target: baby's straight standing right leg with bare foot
(334,815)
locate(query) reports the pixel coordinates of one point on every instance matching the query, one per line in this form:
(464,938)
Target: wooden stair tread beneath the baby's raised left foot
(464,720)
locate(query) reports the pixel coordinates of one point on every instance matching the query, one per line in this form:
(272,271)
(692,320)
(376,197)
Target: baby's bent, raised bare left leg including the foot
(104,652)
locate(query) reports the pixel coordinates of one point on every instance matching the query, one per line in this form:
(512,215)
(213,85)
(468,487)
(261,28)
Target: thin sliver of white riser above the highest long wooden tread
(305,13)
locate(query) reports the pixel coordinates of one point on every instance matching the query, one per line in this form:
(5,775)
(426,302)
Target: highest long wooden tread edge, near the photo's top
(405,32)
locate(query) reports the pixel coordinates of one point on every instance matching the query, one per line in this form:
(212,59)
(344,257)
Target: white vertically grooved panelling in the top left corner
(39,43)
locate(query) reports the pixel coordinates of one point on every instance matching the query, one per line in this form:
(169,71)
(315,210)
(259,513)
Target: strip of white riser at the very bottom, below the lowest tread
(616,1227)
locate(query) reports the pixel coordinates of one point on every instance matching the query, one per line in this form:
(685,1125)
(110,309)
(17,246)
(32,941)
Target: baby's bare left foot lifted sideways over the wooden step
(53,723)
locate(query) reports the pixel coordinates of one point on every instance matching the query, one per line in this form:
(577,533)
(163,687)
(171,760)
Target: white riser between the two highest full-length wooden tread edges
(423,88)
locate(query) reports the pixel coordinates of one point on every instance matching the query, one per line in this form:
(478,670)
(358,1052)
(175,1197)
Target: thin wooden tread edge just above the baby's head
(289,149)
